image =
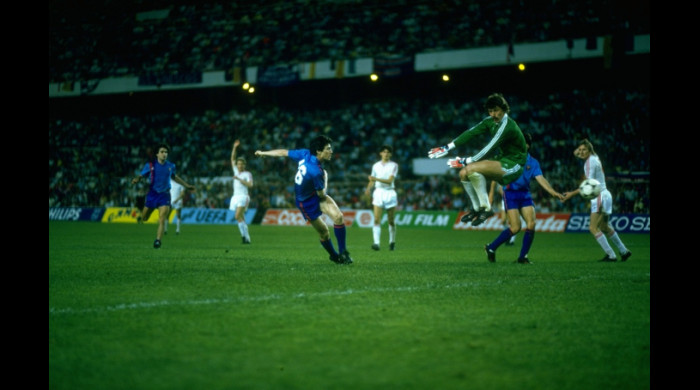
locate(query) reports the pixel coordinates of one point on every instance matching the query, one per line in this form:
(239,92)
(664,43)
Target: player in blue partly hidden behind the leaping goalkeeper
(518,201)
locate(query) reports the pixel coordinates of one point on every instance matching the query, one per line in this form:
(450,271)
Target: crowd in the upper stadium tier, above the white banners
(118,38)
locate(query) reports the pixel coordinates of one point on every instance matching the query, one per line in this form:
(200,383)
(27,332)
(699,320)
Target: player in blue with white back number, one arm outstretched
(311,197)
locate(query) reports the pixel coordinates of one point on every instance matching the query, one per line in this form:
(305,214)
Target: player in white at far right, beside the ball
(601,206)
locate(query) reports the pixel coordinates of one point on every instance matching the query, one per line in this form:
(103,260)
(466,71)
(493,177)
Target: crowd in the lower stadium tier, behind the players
(92,160)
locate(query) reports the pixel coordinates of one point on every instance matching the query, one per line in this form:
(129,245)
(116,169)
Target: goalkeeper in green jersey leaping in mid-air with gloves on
(501,159)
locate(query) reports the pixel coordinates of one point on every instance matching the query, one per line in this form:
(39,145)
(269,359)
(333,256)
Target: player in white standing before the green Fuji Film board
(384,195)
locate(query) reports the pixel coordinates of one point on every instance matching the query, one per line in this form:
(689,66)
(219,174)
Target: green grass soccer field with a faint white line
(206,312)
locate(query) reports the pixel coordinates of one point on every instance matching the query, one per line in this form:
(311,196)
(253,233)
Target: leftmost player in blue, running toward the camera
(159,172)
